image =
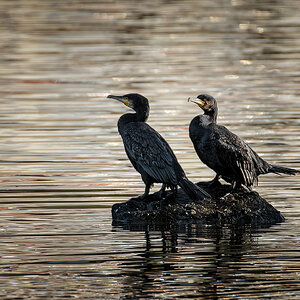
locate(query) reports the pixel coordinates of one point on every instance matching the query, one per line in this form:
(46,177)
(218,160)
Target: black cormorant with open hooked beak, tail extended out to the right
(224,152)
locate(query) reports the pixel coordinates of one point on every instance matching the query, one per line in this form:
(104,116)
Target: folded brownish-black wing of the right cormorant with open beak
(237,155)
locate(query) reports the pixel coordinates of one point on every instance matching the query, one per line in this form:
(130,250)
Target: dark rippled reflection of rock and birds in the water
(192,260)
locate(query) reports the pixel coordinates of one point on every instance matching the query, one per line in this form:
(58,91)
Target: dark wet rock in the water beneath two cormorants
(239,208)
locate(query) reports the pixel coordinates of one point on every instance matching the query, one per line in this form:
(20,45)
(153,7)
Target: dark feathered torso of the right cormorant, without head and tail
(226,153)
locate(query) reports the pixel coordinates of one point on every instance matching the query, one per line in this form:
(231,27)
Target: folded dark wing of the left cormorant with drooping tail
(150,152)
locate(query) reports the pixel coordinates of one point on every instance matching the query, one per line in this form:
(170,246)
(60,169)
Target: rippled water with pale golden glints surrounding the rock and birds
(62,163)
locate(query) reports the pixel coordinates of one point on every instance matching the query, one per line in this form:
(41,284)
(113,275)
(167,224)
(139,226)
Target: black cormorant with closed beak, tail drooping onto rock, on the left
(148,151)
